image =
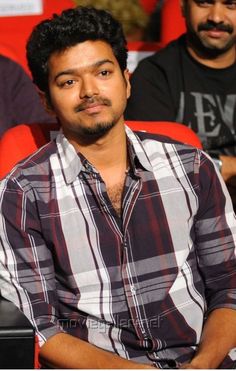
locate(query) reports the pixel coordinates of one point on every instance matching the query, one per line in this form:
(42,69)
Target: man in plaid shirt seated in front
(119,247)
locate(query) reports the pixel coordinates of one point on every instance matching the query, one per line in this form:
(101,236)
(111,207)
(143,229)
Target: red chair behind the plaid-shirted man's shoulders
(22,140)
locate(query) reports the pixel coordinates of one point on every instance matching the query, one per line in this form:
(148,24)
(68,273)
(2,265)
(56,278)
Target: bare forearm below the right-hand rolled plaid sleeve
(218,338)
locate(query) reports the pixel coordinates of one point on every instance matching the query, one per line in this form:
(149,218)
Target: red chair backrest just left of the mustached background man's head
(172,21)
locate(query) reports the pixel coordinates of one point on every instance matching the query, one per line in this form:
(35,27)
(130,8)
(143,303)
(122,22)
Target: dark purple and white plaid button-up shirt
(139,285)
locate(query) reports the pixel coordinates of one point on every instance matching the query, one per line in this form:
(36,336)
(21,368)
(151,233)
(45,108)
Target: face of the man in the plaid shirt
(88,91)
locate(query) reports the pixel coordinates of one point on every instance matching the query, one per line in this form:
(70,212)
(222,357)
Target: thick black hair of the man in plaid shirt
(71,27)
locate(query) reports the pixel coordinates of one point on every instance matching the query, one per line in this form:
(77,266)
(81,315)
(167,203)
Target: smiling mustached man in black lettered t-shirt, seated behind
(193,81)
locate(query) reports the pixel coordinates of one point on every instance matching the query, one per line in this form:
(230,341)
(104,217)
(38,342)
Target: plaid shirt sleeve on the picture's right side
(216,238)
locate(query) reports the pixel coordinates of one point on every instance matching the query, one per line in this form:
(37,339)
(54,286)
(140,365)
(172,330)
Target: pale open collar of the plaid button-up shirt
(72,164)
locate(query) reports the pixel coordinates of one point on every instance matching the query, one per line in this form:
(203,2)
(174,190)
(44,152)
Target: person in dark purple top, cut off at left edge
(19,100)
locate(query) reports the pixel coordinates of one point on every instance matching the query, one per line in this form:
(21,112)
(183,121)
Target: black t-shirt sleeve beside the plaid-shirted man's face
(150,94)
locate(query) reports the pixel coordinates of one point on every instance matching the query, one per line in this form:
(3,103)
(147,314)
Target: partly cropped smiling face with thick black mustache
(211,24)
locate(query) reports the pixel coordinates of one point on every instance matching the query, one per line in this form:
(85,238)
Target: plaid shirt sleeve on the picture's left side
(27,271)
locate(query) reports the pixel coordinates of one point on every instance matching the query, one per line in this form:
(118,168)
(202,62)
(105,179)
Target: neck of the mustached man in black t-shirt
(224,60)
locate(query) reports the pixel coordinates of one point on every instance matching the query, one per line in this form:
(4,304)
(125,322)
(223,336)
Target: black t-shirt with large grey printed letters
(171,86)
